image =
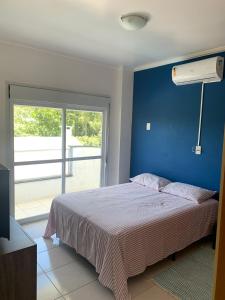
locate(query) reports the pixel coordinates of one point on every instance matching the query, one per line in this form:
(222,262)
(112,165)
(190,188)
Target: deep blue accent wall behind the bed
(173,111)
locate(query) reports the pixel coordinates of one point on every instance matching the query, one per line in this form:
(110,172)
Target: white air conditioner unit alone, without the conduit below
(206,70)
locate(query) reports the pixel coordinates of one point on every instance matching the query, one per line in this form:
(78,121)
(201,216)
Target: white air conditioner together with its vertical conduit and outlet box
(202,71)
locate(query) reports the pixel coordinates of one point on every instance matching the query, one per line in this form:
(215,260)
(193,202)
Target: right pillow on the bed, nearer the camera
(190,192)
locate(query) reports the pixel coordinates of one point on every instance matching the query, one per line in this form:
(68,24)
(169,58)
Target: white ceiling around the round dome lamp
(90,29)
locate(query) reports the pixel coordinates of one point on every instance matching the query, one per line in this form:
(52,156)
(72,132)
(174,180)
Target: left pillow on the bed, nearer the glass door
(150,180)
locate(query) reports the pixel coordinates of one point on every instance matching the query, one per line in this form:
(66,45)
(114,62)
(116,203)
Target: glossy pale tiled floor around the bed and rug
(62,274)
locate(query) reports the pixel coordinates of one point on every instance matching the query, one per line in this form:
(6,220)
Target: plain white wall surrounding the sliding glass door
(40,68)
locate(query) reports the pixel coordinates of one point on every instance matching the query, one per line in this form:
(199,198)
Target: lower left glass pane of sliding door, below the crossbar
(35,188)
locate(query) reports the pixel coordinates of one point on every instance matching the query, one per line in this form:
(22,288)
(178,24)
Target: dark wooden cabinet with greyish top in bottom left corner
(18,265)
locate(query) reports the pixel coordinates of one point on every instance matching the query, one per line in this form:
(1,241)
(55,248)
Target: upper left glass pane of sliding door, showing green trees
(37,133)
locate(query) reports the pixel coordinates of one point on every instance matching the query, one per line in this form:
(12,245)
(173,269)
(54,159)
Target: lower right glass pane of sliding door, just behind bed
(84,175)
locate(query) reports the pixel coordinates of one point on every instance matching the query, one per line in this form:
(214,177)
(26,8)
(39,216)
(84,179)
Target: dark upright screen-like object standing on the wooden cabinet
(4,202)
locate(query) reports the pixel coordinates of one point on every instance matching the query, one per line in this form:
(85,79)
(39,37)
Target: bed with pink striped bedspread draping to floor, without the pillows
(124,228)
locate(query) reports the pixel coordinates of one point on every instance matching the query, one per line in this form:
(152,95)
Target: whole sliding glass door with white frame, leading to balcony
(56,150)
